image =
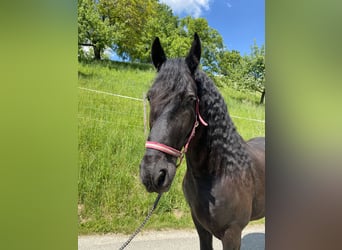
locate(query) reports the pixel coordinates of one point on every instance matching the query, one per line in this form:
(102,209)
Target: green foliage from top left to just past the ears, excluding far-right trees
(129,27)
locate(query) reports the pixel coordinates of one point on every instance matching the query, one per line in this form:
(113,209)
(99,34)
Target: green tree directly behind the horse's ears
(176,35)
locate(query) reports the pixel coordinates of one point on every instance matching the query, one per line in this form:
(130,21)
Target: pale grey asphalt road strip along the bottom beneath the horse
(253,238)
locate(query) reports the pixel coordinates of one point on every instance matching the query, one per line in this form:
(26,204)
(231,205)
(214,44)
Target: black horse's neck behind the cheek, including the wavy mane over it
(218,147)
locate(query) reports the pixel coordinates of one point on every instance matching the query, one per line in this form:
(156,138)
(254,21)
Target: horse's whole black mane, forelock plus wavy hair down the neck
(227,150)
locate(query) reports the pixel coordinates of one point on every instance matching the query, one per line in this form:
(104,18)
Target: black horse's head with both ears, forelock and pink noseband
(173,100)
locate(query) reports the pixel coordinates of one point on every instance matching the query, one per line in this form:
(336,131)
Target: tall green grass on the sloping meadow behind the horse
(111,145)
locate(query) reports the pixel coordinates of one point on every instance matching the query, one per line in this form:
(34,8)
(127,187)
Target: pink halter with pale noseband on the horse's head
(172,151)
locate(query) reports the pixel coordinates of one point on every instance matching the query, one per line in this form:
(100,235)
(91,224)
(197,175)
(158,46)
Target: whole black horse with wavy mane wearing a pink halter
(224,182)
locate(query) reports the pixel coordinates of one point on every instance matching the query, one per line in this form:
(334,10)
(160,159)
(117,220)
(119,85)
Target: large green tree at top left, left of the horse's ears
(118,24)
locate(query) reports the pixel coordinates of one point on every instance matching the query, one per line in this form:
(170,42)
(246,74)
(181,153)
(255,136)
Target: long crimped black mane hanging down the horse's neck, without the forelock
(227,150)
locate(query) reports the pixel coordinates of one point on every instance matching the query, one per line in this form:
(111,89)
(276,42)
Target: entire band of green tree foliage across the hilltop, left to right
(130,26)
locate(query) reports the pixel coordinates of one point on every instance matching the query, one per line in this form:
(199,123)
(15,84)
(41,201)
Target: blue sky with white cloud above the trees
(240,22)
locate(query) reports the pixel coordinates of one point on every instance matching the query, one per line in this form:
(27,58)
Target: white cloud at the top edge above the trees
(190,7)
